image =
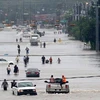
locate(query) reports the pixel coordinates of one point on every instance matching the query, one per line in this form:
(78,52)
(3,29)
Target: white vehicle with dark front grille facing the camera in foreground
(24,88)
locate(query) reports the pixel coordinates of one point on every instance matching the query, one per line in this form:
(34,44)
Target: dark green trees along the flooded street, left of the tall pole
(85,28)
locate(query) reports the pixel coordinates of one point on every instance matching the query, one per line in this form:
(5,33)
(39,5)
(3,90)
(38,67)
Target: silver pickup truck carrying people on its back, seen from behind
(56,88)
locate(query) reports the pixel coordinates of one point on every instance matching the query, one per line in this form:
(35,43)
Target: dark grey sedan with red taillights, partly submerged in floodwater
(32,72)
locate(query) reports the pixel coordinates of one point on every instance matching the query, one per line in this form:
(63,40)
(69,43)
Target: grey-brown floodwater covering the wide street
(81,67)
